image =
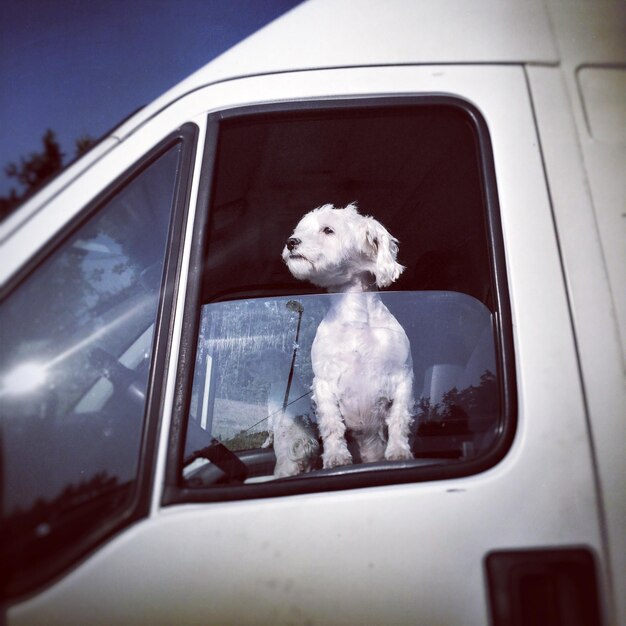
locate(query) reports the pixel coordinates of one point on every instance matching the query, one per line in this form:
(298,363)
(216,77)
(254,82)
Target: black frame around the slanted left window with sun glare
(138,503)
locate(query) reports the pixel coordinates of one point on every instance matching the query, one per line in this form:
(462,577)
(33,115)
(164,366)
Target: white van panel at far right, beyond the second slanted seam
(593,53)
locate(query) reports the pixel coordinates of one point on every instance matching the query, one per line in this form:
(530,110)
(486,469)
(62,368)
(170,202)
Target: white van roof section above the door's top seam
(320,34)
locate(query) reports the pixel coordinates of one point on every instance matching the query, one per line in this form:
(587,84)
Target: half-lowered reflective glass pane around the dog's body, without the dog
(253,364)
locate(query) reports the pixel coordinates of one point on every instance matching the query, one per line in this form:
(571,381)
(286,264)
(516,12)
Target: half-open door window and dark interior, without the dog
(422,167)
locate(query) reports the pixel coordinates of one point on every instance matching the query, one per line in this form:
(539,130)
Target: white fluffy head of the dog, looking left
(330,247)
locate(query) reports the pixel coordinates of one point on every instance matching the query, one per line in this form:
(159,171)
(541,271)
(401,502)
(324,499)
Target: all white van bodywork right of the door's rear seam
(584,147)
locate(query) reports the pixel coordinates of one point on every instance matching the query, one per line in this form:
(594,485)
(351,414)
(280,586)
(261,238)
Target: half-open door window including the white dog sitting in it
(420,170)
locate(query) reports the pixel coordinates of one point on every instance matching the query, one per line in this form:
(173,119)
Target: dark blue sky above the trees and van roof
(80,66)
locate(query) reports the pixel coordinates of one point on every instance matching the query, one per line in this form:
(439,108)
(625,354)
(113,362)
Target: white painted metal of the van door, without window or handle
(318,556)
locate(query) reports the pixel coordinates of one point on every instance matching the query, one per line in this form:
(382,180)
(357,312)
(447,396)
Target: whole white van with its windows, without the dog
(148,326)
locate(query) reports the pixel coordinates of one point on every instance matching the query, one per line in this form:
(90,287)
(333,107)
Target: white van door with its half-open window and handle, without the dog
(497,507)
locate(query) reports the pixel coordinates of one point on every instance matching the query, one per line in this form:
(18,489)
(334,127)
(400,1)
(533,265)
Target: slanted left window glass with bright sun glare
(76,340)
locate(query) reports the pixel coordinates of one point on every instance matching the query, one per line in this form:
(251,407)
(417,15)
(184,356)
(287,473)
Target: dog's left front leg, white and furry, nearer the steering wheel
(331,426)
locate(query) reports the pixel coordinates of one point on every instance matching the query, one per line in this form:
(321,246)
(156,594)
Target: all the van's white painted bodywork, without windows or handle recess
(408,553)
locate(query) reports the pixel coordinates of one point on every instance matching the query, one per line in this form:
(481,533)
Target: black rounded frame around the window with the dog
(175,492)
